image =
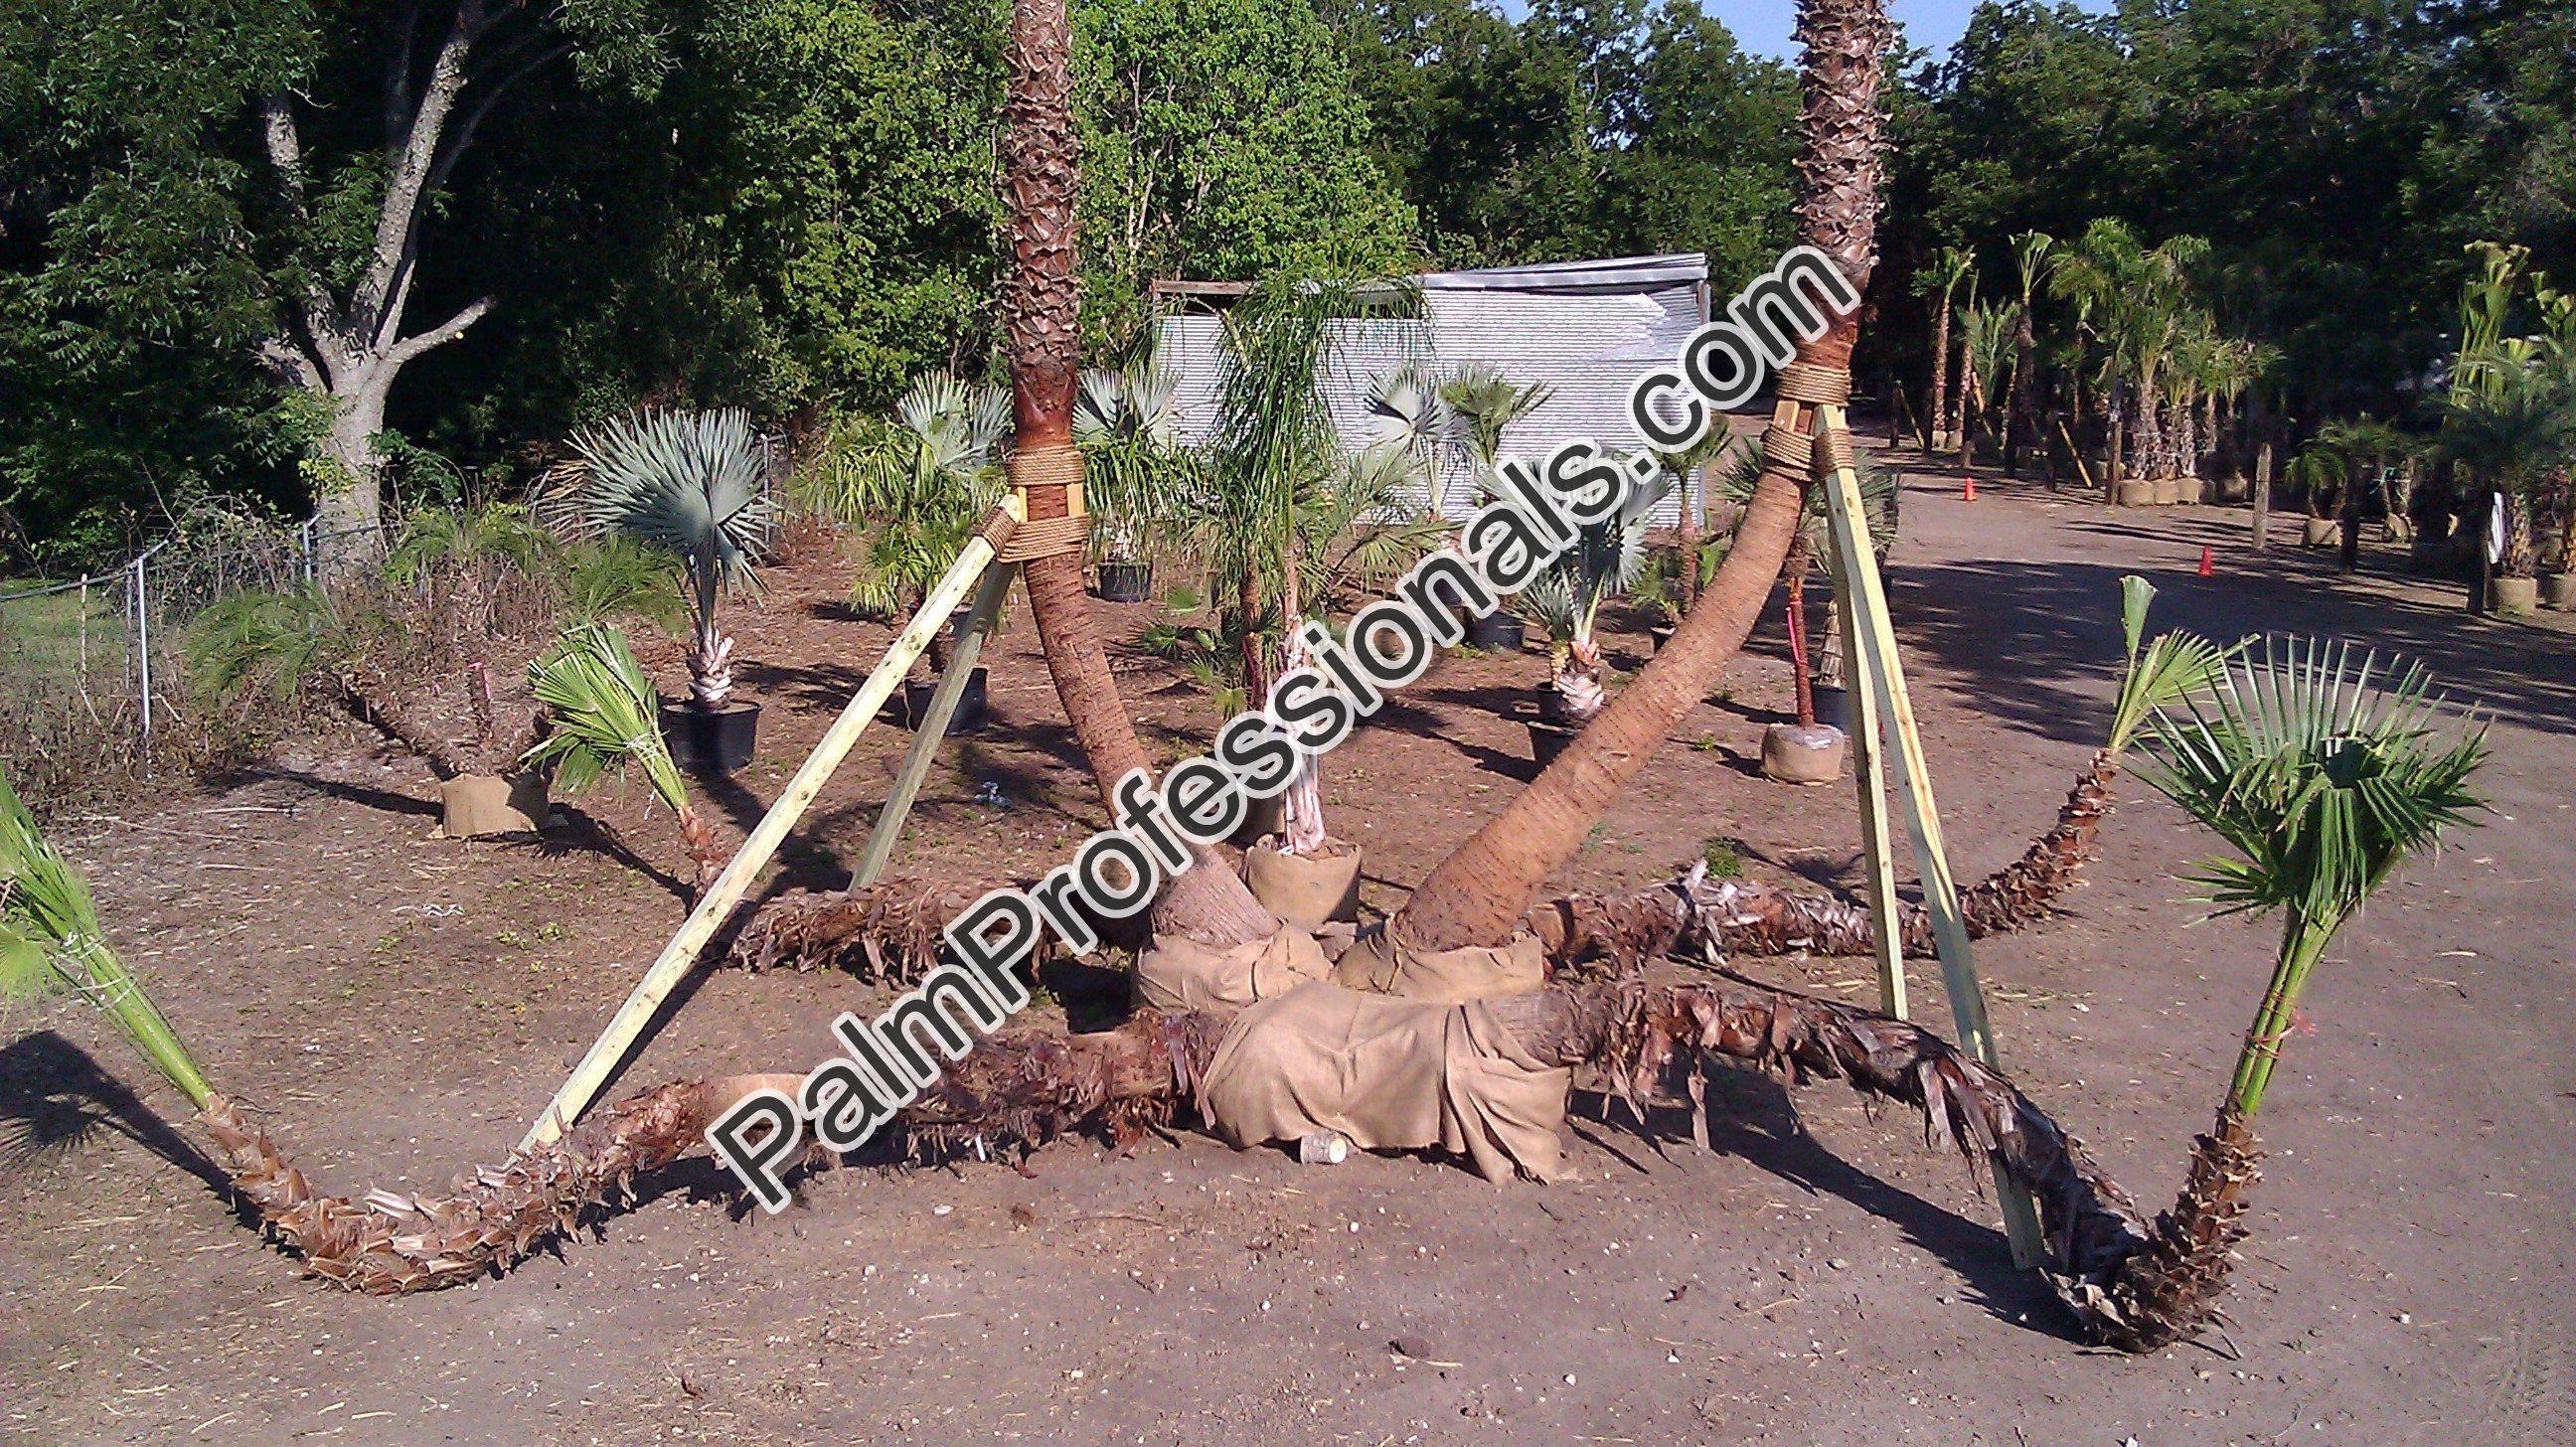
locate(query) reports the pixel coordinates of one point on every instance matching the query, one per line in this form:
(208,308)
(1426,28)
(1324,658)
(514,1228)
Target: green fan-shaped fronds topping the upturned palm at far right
(2322,769)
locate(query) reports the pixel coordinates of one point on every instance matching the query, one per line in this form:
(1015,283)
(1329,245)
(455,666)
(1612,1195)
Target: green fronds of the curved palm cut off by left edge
(53,944)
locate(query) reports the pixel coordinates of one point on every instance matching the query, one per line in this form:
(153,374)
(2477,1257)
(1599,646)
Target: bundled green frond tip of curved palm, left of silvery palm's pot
(601,720)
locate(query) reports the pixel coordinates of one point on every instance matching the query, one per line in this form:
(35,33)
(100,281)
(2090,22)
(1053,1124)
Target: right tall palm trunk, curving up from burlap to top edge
(1480,892)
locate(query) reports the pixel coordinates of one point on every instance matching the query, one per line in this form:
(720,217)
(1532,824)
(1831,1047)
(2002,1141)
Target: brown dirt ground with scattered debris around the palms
(401,1005)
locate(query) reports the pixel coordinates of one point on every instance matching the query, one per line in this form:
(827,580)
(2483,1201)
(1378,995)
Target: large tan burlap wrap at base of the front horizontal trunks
(1392,1075)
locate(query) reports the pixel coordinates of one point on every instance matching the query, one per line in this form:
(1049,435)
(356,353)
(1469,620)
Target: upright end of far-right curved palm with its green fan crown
(2322,771)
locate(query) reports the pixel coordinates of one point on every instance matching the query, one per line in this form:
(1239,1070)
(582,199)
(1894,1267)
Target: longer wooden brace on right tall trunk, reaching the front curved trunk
(1884,678)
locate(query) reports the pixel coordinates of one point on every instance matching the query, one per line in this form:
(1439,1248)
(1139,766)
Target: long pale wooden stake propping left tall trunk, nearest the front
(753,856)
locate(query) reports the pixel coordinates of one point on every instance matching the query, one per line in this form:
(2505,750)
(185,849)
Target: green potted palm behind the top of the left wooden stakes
(916,488)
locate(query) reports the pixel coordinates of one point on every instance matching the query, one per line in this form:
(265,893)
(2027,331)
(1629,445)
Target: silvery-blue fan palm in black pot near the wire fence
(692,485)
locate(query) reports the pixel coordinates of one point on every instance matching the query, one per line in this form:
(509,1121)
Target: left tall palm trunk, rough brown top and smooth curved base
(1042,321)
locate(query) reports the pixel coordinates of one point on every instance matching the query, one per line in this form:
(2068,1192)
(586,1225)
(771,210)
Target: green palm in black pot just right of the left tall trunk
(1124,424)
